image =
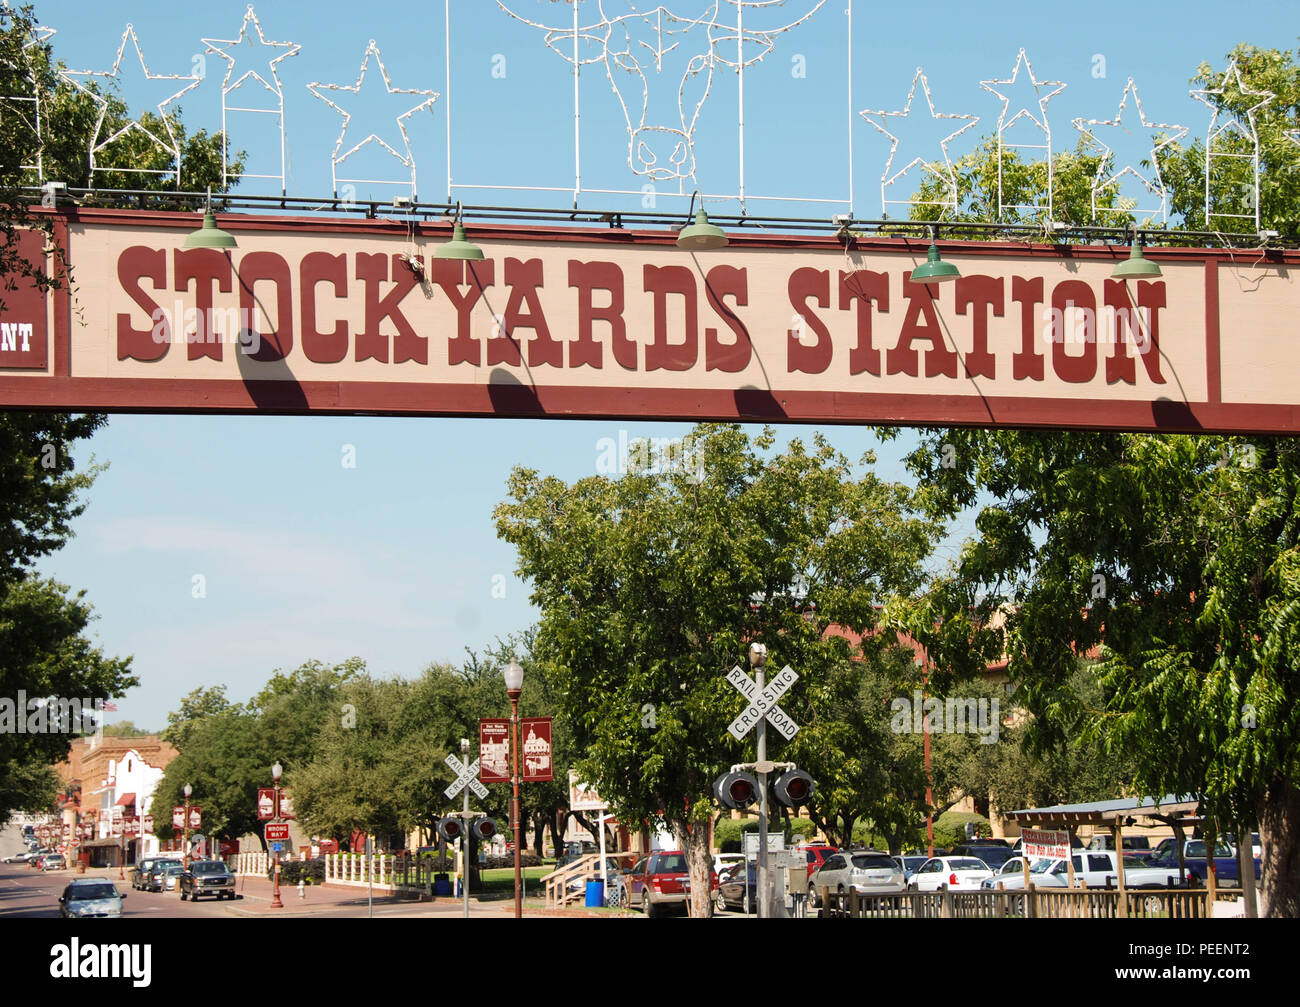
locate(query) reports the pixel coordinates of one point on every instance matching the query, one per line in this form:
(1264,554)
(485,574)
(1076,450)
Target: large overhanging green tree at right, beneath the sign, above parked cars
(1173,555)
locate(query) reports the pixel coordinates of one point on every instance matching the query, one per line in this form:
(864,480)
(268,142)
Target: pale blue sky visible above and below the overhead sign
(395,561)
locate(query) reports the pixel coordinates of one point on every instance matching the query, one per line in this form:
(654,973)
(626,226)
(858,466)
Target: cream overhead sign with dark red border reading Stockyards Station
(358,316)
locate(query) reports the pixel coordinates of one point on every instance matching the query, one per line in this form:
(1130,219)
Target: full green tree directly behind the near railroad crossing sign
(652,588)
